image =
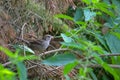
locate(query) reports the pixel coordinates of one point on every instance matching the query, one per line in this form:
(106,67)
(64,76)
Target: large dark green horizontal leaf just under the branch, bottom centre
(60,59)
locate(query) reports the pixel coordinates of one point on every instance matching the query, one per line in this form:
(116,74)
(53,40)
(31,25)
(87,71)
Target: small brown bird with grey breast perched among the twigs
(40,45)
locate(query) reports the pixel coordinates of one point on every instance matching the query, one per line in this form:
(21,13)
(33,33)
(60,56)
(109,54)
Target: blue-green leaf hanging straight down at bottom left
(22,71)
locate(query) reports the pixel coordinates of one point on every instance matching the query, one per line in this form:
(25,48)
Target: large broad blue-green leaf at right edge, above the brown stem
(113,42)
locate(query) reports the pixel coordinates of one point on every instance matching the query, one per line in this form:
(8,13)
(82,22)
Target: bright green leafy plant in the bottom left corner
(17,60)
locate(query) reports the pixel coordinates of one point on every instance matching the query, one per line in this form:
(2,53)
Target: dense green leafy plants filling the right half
(88,39)
